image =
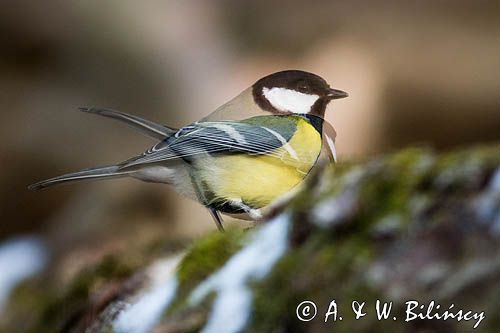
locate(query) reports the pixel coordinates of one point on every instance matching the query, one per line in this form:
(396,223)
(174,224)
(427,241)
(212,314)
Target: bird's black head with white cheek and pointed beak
(294,91)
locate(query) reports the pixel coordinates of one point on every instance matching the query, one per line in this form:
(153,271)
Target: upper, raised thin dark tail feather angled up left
(147,127)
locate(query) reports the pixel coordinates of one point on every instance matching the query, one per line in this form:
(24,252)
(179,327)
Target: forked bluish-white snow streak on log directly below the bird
(232,305)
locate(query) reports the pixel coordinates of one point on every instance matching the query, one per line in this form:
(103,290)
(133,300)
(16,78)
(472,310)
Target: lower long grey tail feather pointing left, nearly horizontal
(106,172)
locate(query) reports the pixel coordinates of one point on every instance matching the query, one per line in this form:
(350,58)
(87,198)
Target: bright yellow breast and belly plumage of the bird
(258,180)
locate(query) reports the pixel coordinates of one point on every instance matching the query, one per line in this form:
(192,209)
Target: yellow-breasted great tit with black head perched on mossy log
(240,158)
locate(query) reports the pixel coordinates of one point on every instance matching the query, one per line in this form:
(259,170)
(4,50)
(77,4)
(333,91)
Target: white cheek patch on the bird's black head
(289,100)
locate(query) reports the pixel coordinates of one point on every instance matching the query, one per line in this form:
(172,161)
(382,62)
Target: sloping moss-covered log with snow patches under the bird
(409,226)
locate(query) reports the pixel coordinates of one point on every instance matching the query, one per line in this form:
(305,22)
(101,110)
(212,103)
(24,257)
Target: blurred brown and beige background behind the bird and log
(418,72)
